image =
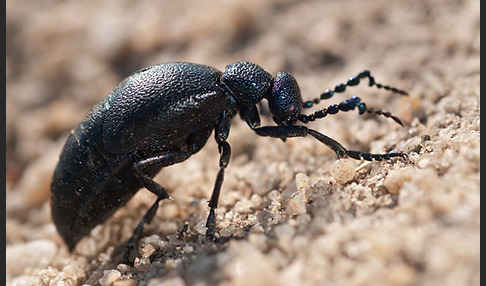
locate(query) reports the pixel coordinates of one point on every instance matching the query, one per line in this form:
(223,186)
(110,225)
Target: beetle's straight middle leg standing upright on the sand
(221,134)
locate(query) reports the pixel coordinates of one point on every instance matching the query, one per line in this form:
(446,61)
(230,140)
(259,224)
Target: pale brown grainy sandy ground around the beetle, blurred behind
(290,213)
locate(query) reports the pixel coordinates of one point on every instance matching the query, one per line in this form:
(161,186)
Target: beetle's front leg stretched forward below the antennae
(302,131)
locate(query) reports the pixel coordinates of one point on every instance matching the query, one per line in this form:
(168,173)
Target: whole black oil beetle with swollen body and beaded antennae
(161,115)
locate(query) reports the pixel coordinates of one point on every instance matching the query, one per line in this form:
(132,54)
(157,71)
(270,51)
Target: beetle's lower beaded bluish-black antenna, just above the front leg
(347,105)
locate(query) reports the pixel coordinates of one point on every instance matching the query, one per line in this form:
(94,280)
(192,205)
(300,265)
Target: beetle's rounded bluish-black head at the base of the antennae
(285,101)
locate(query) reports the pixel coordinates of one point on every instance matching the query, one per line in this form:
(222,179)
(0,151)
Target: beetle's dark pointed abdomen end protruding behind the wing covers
(84,191)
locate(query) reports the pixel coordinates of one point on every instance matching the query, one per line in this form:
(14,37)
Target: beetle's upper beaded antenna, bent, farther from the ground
(352,81)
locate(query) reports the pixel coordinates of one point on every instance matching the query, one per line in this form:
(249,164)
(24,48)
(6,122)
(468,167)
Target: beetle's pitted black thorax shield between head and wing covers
(248,82)
